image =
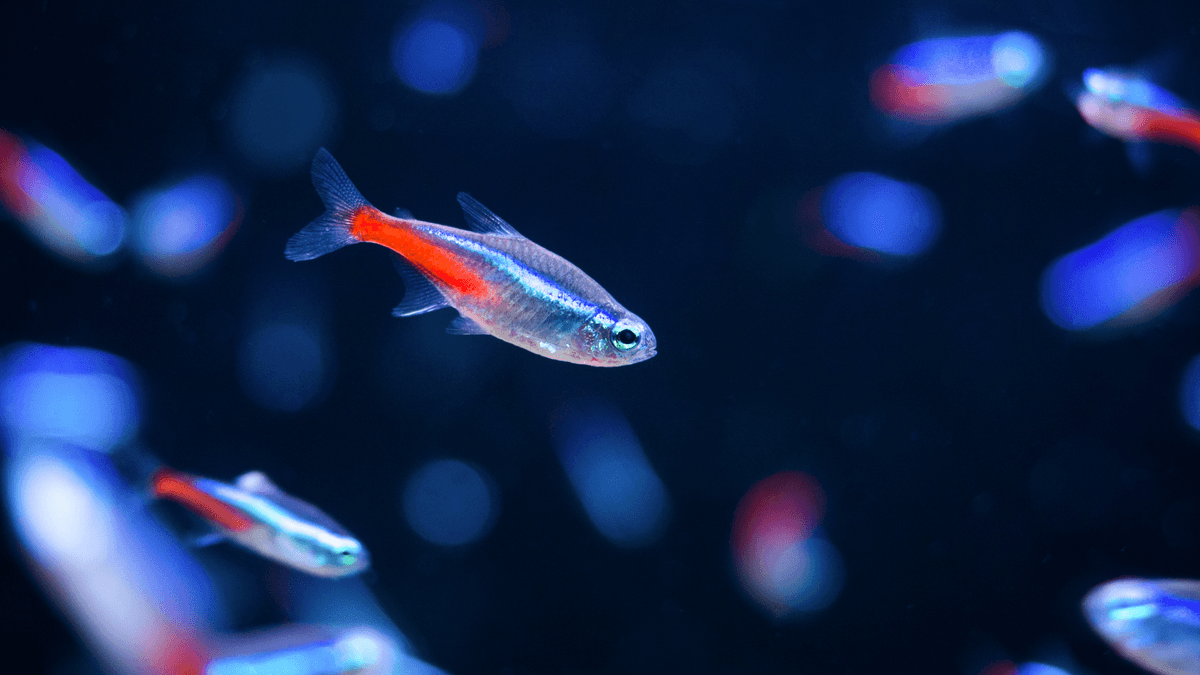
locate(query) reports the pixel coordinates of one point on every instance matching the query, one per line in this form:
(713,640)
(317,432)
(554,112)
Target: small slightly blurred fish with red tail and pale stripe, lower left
(259,516)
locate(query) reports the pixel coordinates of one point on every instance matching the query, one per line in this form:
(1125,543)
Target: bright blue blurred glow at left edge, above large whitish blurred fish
(71,396)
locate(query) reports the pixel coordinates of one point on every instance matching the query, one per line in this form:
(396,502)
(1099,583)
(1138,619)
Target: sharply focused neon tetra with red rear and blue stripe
(501,283)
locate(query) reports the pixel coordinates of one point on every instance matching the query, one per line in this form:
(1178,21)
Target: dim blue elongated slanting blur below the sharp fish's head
(619,488)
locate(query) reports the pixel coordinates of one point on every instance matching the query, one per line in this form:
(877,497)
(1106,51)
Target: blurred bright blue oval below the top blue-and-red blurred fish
(874,212)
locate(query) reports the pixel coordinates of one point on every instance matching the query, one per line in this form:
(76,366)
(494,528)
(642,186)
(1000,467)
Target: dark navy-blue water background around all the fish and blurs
(933,401)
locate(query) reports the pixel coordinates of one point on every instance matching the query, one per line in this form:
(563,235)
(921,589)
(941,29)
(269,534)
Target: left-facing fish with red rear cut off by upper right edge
(1133,109)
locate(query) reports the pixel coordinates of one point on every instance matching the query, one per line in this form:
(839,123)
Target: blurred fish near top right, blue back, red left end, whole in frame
(946,80)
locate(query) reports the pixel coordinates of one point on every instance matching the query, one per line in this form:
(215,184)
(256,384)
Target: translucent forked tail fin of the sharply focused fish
(343,201)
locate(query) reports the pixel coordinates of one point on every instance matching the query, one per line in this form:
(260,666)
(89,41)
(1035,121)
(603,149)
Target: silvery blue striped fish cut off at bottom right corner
(1153,623)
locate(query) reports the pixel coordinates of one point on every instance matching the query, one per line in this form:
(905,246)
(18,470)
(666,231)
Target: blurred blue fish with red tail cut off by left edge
(58,207)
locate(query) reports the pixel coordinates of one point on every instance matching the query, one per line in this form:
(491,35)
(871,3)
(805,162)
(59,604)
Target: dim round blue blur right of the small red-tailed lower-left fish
(449,504)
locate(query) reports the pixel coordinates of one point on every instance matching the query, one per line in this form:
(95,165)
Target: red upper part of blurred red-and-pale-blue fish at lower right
(788,505)
